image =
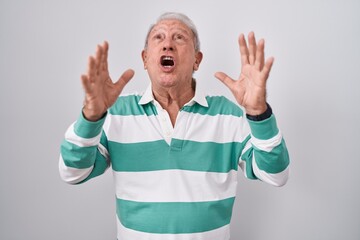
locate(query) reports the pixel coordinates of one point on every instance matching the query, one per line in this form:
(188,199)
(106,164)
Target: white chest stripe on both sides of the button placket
(189,126)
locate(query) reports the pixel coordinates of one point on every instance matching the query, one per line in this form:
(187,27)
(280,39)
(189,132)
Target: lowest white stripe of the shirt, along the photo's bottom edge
(124,233)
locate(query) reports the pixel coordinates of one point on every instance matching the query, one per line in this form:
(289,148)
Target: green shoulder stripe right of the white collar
(217,105)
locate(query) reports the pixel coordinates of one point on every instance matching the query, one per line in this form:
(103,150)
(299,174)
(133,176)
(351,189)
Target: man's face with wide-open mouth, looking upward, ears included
(170,57)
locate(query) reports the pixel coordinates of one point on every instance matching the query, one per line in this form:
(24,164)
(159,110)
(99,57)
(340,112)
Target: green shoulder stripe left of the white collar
(129,105)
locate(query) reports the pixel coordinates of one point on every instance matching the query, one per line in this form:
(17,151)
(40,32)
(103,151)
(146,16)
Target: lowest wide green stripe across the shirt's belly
(174,217)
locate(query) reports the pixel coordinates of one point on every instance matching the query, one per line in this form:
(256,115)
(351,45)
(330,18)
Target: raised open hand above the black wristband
(250,89)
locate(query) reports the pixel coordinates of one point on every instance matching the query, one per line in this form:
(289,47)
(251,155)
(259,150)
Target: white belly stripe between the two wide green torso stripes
(175,186)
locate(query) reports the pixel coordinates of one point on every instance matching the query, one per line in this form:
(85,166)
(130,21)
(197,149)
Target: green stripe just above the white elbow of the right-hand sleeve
(275,161)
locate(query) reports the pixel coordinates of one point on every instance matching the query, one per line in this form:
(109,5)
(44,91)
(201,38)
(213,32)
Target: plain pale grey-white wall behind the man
(313,89)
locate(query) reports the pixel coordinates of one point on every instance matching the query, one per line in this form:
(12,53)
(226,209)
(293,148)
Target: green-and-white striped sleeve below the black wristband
(265,155)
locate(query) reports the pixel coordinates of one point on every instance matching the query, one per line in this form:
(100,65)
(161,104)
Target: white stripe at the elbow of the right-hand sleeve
(275,179)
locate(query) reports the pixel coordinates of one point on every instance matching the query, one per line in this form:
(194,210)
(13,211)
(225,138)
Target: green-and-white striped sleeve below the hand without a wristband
(83,153)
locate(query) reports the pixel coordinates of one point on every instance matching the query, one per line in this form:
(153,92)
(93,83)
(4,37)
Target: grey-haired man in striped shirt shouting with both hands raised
(174,150)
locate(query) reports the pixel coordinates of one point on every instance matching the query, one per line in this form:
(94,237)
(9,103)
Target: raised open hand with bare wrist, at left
(100,91)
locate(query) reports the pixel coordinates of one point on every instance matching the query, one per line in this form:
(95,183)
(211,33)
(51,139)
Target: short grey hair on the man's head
(180,17)
